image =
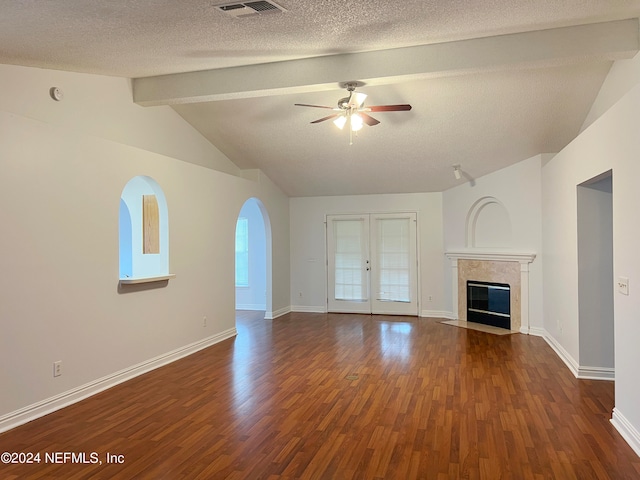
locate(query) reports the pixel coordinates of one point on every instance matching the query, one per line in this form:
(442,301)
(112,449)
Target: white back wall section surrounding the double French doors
(308,255)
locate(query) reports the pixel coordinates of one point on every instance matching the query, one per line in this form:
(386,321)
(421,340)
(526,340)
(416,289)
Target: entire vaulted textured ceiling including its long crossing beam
(481,115)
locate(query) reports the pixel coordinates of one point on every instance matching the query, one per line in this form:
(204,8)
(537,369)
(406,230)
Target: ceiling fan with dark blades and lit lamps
(351,109)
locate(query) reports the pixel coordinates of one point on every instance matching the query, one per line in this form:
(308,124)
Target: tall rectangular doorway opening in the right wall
(595,278)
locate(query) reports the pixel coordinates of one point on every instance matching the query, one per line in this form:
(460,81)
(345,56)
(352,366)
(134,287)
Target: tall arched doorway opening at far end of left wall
(253,258)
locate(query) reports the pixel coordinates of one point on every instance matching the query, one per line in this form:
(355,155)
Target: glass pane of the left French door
(350,281)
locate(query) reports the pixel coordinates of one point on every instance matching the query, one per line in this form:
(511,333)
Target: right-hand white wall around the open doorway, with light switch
(612,143)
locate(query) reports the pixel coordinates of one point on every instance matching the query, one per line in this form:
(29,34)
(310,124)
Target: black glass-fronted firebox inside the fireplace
(489,303)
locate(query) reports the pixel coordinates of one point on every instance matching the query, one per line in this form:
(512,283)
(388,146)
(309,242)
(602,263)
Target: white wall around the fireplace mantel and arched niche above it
(518,188)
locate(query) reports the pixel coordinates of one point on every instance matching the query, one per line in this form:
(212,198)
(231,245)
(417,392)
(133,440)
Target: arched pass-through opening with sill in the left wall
(134,263)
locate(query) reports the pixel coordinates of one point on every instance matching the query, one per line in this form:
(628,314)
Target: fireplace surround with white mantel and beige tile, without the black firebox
(498,267)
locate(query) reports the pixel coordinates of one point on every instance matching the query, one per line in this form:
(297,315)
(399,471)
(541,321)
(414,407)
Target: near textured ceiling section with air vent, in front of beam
(152,37)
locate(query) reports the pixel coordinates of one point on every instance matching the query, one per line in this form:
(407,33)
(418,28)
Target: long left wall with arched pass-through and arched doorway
(63,167)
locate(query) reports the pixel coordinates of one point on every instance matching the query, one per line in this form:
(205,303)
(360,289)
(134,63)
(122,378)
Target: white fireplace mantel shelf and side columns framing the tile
(523,258)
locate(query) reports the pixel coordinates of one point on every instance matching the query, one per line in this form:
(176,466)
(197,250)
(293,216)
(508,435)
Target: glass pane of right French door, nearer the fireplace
(393,260)
